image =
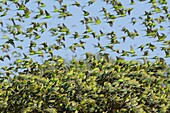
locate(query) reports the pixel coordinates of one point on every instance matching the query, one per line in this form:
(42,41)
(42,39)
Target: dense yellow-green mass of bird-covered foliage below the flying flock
(93,85)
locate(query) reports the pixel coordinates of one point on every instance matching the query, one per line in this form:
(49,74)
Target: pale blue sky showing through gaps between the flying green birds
(73,23)
